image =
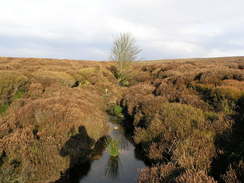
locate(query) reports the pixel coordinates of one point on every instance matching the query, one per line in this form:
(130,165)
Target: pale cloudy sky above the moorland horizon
(76,29)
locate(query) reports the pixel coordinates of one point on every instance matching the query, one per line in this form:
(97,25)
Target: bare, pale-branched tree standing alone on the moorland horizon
(124,51)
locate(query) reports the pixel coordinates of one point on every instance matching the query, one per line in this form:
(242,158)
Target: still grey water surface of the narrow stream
(107,169)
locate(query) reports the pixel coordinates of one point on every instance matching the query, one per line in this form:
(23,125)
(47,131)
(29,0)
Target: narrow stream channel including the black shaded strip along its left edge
(103,168)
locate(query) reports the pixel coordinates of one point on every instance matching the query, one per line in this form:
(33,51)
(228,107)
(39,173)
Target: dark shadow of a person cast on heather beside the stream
(82,150)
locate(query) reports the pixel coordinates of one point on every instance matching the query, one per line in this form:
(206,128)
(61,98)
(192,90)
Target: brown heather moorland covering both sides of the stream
(186,116)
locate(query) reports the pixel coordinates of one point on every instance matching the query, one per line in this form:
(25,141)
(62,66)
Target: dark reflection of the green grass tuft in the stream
(113,166)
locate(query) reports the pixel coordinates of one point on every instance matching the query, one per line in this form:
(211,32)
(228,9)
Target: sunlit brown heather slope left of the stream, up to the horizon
(38,124)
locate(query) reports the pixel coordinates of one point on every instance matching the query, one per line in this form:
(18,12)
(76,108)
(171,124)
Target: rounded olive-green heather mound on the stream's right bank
(172,120)
